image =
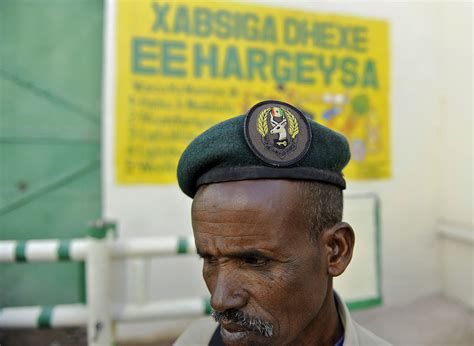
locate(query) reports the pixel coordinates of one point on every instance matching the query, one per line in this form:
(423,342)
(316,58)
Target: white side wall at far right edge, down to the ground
(457,156)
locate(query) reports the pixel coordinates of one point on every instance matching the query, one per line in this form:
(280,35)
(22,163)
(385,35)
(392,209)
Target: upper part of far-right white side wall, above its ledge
(456,134)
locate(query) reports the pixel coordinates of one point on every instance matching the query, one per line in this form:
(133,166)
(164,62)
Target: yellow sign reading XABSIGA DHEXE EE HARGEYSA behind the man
(184,66)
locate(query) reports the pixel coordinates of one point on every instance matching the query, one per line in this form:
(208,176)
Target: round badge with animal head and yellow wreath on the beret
(277,132)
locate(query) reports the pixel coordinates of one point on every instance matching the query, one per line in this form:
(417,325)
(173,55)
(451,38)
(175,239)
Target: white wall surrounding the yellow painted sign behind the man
(412,200)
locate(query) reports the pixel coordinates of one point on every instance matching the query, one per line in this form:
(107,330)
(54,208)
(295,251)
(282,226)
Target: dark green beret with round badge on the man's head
(274,140)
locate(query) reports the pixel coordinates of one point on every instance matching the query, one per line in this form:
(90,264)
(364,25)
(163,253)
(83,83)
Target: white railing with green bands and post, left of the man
(97,251)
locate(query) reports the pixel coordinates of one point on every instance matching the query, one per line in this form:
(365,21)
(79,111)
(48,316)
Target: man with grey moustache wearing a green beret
(267,221)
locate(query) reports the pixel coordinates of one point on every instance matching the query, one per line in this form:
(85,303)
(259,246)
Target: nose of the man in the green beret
(228,292)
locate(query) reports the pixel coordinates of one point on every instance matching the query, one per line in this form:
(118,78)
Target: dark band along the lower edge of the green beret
(223,174)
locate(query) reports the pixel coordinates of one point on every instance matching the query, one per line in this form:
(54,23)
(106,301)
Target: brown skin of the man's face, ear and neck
(258,258)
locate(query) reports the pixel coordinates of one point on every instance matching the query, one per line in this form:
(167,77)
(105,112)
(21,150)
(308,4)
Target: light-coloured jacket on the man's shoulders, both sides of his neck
(200,332)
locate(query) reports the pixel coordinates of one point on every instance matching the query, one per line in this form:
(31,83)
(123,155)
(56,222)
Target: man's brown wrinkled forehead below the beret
(249,214)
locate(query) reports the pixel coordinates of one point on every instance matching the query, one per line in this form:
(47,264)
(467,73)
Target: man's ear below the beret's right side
(339,243)
